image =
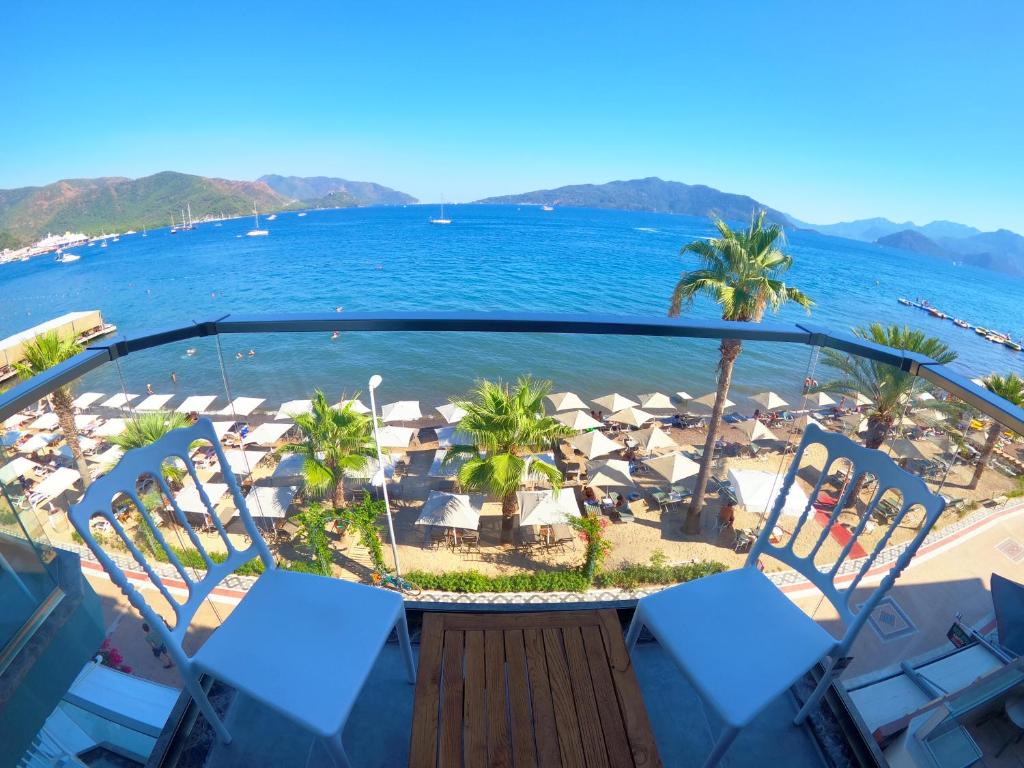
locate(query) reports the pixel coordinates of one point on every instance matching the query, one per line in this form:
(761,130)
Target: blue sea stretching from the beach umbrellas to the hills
(490,259)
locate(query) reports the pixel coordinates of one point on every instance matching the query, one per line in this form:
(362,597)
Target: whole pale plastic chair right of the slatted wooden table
(707,625)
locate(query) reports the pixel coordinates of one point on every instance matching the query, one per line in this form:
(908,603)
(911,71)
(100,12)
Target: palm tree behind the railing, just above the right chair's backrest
(888,388)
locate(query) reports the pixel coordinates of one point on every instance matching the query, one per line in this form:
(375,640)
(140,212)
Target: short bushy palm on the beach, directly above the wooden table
(507,425)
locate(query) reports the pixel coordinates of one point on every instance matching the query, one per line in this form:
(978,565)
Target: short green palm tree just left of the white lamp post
(334,441)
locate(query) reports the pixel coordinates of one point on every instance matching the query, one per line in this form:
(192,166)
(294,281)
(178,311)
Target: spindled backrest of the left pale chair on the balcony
(122,482)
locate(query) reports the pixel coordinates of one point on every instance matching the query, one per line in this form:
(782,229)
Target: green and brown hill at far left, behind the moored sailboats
(116,204)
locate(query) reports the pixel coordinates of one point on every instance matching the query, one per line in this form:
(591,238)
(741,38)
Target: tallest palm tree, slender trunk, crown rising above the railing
(742,271)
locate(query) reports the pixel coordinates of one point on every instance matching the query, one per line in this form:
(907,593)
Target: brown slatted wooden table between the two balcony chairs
(553,689)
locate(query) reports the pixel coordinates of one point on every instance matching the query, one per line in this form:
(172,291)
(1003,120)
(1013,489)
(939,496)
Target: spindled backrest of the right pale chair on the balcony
(913,492)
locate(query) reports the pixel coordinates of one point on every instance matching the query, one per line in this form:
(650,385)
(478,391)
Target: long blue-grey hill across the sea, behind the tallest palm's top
(647,195)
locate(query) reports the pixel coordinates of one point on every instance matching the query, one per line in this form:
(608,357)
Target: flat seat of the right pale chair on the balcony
(741,642)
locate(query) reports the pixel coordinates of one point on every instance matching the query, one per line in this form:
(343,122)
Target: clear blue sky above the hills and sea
(827,111)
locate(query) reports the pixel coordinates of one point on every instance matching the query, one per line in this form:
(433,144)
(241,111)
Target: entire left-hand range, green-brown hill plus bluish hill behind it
(109,204)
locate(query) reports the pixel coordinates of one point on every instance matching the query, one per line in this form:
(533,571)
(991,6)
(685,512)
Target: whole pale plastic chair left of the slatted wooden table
(302,645)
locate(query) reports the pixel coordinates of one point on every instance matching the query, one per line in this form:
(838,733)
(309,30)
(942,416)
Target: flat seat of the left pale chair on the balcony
(303,645)
